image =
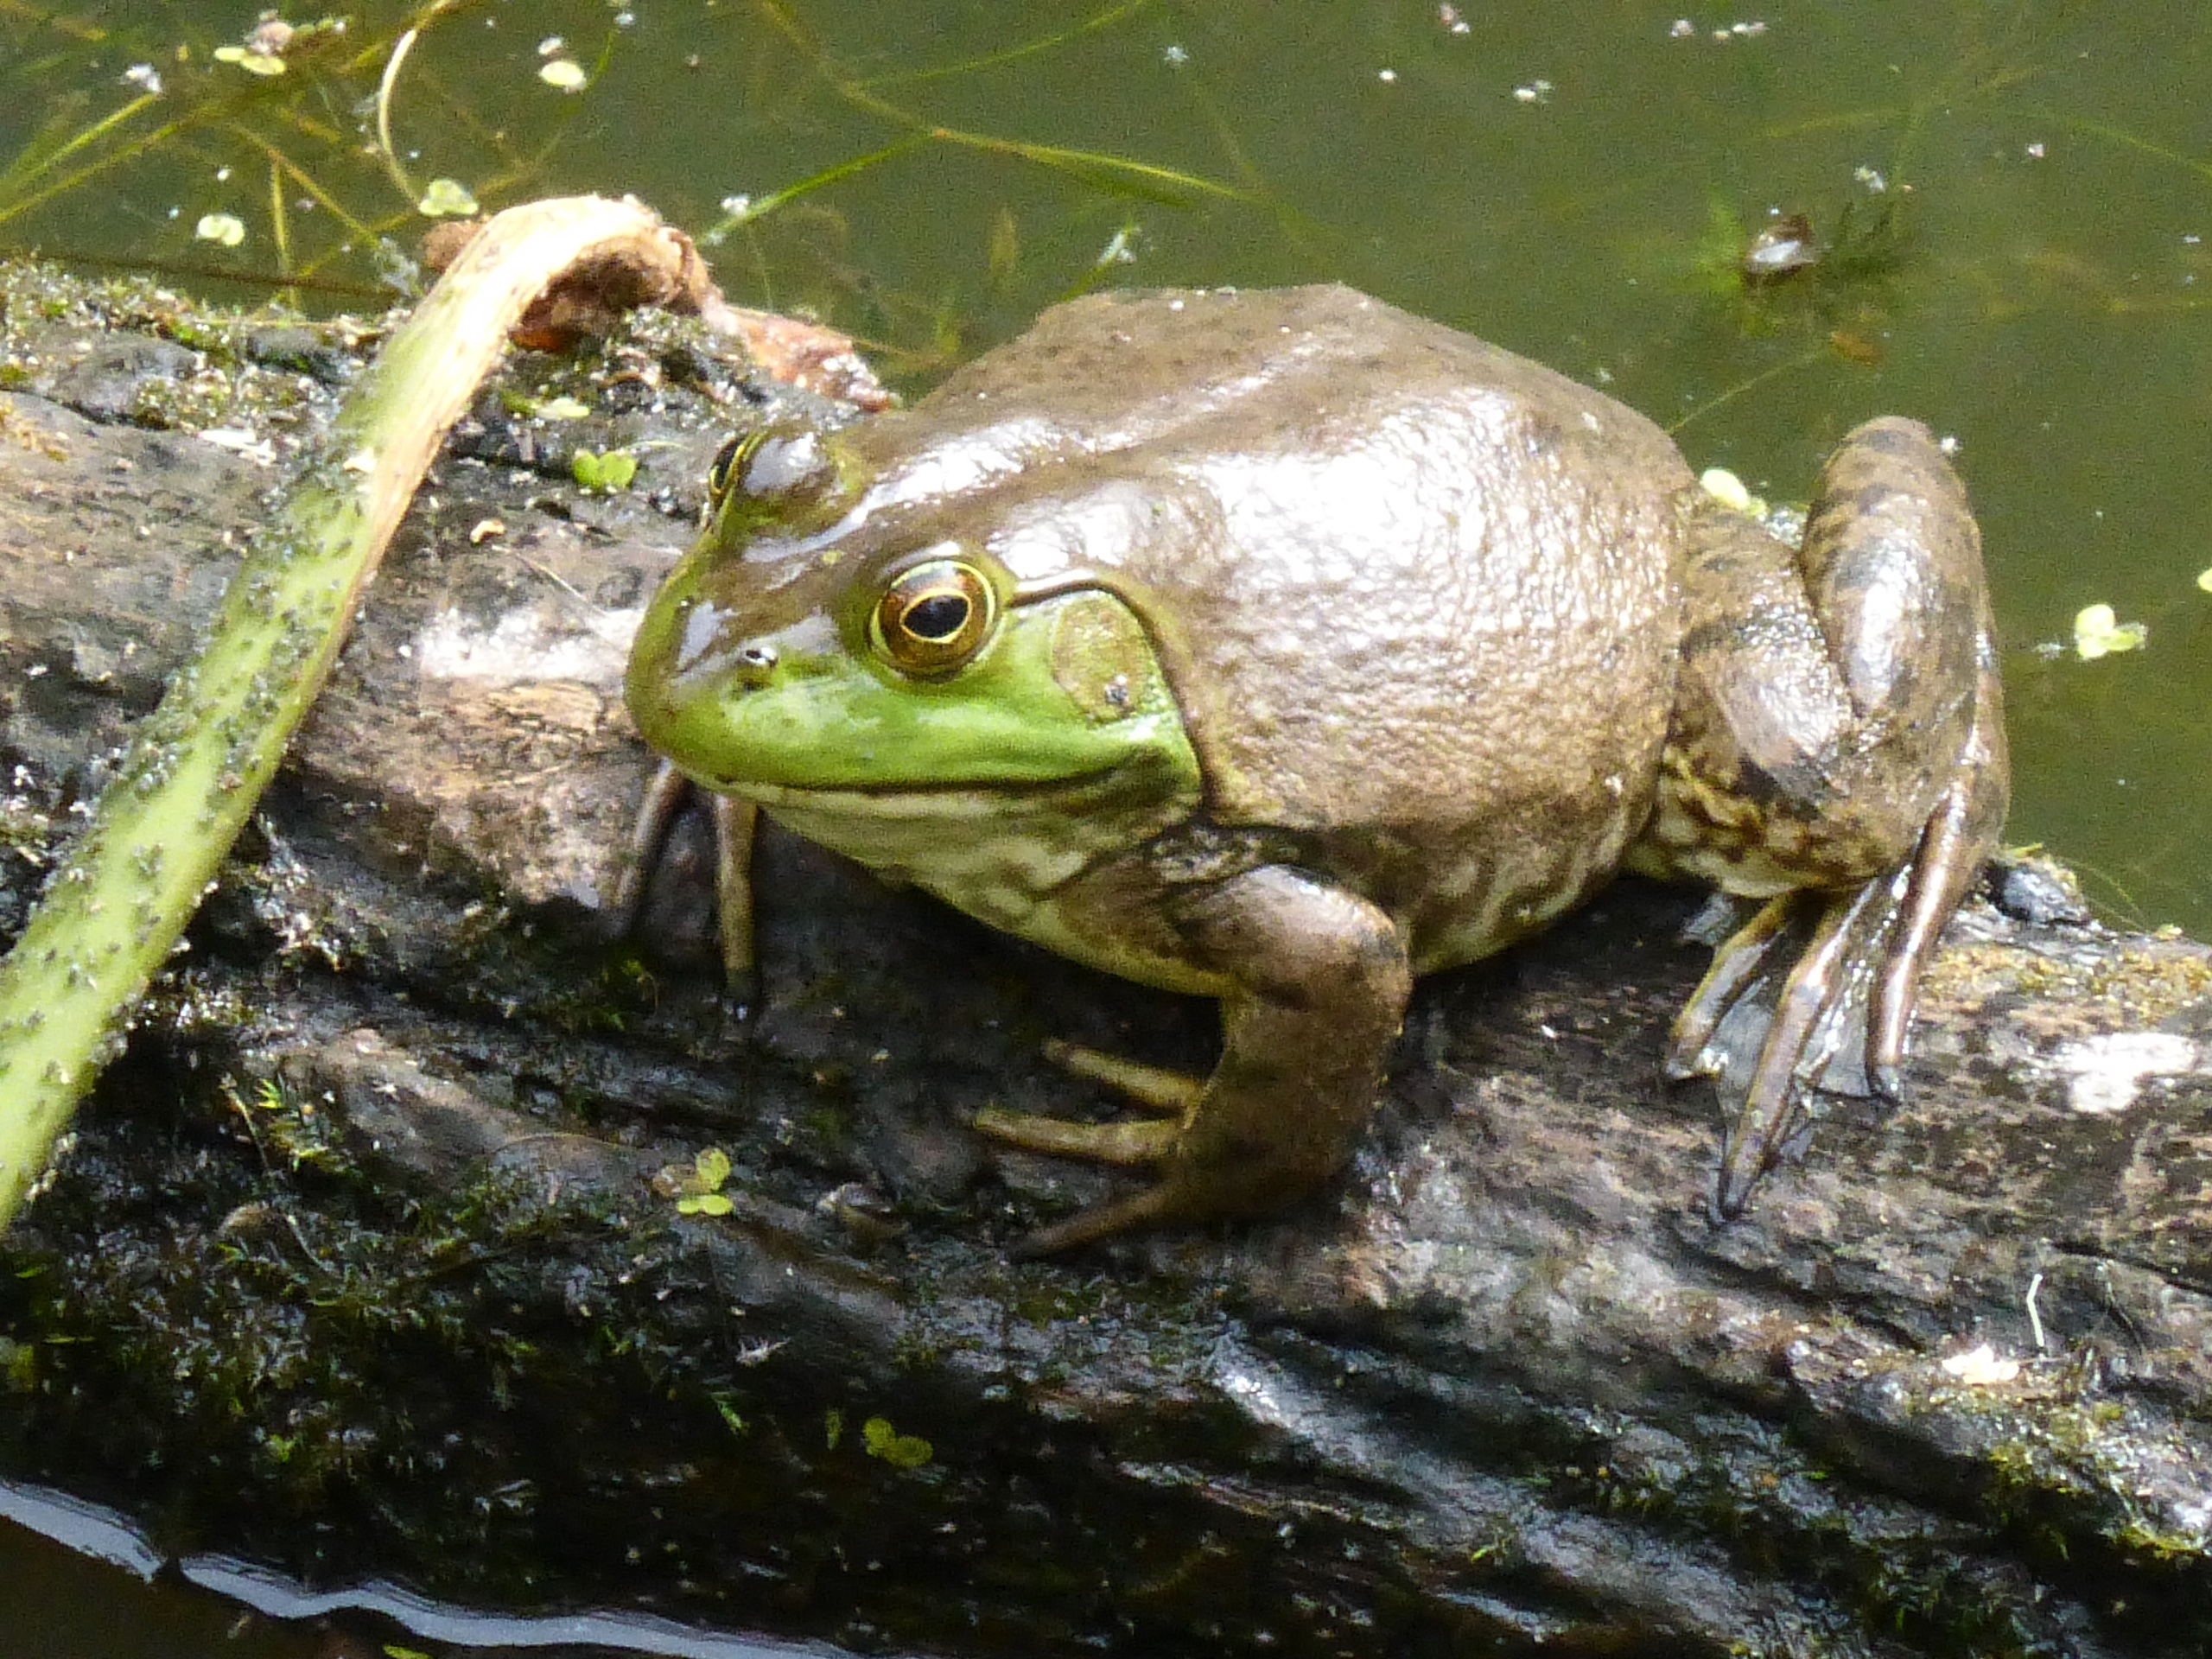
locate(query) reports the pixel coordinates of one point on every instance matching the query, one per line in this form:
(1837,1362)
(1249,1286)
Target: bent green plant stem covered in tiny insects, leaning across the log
(198,766)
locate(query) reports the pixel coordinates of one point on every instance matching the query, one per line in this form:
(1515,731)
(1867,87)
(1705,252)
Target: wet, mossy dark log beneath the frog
(373,1258)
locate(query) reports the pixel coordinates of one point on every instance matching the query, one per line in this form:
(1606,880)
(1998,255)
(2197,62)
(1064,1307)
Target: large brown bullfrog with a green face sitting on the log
(1282,647)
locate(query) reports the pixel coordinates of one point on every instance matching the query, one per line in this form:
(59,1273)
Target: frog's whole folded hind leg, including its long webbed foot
(1839,751)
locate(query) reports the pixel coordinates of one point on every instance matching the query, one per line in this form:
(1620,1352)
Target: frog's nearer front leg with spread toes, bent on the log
(1319,988)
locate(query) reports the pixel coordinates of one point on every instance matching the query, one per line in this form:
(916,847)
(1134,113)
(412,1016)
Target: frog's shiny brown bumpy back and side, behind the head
(1419,596)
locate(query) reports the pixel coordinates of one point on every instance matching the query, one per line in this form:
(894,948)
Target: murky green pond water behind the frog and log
(2012,202)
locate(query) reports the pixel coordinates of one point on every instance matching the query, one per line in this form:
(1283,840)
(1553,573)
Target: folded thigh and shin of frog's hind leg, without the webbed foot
(1828,696)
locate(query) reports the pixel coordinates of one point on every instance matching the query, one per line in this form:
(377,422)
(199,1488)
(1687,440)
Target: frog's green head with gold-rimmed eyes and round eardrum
(831,636)
